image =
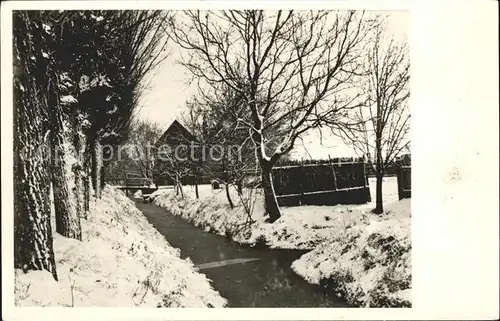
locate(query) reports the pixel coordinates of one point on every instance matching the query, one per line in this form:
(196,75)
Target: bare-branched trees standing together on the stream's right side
(268,77)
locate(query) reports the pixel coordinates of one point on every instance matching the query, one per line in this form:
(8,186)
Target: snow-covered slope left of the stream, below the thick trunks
(122,261)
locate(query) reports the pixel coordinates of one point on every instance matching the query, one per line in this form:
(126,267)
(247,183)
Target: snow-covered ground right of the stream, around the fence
(366,257)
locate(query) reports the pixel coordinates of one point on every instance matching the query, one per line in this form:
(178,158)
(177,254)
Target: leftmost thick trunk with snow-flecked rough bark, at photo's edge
(33,243)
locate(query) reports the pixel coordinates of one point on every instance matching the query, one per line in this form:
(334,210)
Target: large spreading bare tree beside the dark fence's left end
(290,69)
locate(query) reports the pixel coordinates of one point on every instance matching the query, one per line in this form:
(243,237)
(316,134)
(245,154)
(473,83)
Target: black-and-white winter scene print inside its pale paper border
(211,158)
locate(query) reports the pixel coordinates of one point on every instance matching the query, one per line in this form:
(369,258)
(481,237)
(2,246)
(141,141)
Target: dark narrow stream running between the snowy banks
(266,282)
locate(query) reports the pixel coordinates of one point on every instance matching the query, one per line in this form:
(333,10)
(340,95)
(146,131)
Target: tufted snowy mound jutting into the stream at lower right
(368,264)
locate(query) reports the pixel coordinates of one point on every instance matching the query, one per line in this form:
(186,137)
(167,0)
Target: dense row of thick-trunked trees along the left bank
(77,77)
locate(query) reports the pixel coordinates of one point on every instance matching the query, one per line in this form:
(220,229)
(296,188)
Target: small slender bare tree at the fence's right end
(383,121)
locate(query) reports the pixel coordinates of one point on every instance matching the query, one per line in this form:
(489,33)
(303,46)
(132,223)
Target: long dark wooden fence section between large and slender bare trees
(322,183)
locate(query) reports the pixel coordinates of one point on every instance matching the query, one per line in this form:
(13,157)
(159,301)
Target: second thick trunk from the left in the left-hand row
(67,220)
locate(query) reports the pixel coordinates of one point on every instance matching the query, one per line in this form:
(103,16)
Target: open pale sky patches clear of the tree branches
(168,92)
